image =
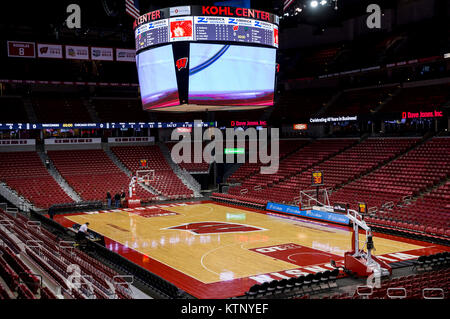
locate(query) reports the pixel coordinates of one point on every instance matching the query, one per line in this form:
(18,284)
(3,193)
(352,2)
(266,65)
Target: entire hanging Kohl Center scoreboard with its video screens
(193,58)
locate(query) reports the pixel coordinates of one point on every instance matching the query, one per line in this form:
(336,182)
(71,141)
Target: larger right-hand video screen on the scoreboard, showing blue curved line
(231,75)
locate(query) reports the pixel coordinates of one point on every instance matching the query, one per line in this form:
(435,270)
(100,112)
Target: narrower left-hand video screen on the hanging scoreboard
(157,78)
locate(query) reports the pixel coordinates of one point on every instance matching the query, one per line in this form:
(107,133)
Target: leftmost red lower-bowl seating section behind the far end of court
(25,173)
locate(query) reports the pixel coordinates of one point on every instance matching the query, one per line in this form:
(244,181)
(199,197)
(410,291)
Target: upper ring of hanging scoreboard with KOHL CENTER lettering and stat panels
(181,25)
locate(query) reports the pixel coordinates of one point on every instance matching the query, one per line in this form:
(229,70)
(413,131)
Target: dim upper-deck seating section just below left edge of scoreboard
(130,110)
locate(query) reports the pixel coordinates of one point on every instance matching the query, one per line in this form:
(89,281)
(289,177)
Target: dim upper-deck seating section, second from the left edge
(54,109)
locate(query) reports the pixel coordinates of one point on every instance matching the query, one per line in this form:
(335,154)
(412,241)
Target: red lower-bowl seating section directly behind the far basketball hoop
(166,181)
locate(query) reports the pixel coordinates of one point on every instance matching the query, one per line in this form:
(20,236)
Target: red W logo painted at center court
(203,228)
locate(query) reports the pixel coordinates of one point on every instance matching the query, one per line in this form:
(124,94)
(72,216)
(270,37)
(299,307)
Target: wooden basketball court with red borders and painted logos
(213,250)
